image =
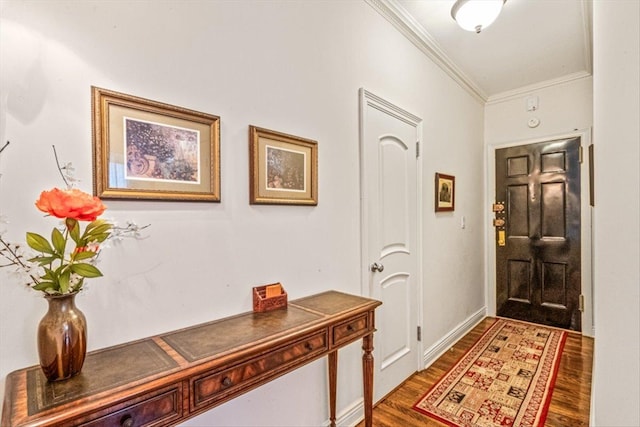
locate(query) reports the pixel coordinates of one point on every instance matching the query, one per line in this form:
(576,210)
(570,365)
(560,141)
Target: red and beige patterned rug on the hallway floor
(505,379)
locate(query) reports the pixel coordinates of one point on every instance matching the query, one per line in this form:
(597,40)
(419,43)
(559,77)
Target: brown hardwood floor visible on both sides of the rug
(569,403)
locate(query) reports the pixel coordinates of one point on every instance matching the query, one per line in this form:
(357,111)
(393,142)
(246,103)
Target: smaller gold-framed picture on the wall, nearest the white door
(283,168)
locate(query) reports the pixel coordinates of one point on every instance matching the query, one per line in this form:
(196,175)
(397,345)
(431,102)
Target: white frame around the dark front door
(586,250)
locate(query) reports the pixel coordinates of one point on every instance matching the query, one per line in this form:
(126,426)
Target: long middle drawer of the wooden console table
(220,385)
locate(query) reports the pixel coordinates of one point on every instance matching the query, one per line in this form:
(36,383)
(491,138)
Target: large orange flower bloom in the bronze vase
(71,203)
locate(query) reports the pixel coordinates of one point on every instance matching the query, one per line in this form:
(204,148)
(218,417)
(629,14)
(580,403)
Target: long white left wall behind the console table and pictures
(290,66)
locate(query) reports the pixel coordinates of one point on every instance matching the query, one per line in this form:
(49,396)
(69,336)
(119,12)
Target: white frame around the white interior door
(369,99)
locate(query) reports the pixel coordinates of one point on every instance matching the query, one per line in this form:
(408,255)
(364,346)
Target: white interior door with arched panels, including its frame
(390,235)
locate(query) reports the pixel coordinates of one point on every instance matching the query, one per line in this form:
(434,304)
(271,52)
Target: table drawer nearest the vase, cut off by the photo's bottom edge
(153,409)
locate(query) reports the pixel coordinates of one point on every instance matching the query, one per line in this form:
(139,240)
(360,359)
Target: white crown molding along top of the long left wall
(407,25)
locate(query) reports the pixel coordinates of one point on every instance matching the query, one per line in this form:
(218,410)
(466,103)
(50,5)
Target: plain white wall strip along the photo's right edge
(616,77)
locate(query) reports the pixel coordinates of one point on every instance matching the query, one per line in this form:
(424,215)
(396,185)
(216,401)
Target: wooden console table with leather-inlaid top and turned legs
(165,379)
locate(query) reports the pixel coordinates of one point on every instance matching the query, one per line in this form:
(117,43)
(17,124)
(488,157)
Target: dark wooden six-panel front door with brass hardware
(538,246)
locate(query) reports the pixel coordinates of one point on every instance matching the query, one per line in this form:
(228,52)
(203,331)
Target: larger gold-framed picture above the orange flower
(144,149)
